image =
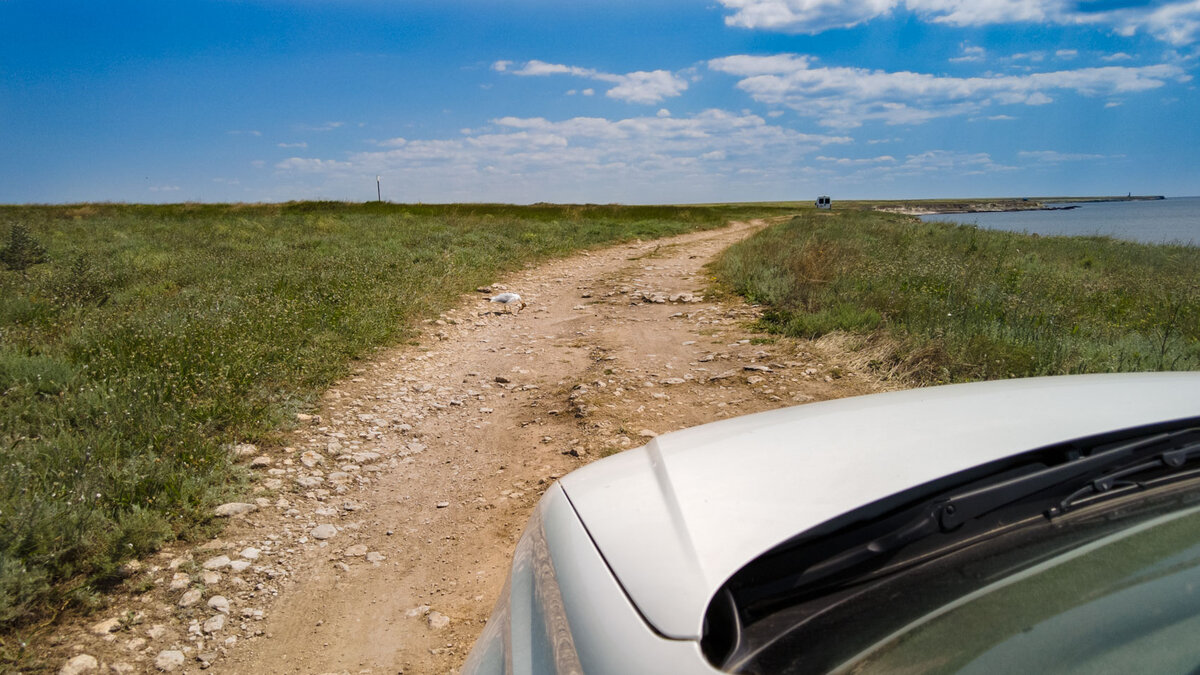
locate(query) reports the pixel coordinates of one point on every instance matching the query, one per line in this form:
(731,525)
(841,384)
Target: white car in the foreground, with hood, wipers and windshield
(1025,525)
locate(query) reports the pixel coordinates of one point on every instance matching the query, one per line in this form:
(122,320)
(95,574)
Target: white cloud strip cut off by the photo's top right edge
(1177,22)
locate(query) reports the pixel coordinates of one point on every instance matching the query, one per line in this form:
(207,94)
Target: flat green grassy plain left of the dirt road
(157,336)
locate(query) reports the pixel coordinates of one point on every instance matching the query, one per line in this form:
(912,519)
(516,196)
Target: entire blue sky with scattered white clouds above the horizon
(596,101)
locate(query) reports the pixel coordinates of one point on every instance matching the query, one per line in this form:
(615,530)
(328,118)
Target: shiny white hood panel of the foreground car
(676,518)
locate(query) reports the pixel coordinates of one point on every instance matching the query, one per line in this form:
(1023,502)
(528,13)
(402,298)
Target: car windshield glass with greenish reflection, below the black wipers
(1126,604)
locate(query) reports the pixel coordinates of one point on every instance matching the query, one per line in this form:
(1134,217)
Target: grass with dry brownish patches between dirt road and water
(947,303)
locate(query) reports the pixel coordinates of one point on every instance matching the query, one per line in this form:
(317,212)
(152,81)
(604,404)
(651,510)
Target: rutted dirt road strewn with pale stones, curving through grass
(382,534)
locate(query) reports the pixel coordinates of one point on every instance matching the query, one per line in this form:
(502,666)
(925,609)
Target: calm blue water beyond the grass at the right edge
(1162,222)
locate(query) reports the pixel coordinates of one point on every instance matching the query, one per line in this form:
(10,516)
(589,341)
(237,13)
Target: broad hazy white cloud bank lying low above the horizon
(649,158)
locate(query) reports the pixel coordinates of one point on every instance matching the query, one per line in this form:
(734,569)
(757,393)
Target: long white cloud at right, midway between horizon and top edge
(848,97)
